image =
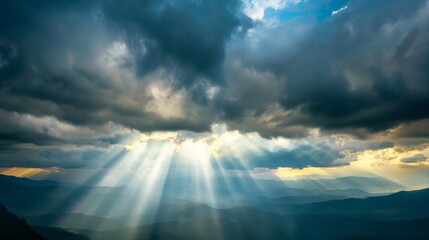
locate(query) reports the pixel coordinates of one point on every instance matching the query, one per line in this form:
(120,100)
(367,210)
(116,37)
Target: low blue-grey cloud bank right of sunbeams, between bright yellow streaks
(325,151)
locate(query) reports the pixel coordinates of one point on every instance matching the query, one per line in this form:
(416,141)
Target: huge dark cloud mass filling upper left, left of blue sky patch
(54,57)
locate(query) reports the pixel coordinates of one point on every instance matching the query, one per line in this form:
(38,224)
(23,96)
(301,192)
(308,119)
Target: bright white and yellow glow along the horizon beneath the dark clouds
(199,150)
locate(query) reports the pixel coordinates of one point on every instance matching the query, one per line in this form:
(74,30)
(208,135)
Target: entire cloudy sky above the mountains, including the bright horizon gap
(274,89)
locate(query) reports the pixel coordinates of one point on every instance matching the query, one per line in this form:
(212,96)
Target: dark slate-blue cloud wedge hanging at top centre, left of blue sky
(188,35)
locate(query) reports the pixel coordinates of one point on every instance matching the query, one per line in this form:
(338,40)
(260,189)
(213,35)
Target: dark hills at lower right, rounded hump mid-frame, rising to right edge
(399,216)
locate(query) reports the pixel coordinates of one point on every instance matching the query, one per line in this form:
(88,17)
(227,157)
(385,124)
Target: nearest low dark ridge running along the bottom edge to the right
(304,227)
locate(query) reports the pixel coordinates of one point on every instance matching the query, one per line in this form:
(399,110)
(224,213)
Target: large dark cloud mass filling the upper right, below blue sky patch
(365,68)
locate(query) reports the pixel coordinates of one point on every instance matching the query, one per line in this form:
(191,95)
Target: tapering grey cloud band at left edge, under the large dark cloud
(21,131)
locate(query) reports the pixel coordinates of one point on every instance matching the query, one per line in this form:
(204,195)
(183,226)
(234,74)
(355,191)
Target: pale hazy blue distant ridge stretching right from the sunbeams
(230,190)
